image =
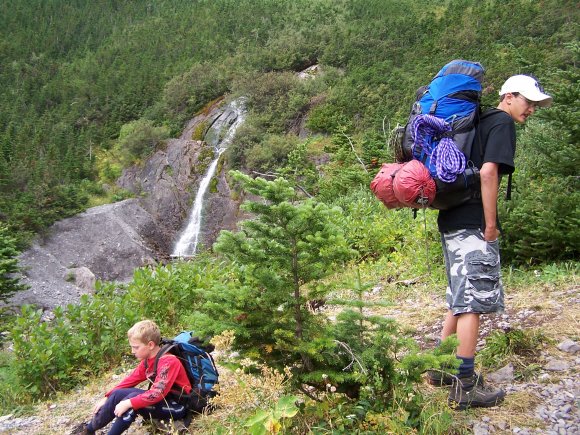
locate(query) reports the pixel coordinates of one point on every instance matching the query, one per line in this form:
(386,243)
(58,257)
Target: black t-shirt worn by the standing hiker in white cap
(496,135)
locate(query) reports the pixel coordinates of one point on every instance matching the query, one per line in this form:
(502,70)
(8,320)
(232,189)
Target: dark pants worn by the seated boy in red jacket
(165,410)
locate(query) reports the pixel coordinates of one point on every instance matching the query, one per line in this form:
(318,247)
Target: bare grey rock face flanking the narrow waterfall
(108,242)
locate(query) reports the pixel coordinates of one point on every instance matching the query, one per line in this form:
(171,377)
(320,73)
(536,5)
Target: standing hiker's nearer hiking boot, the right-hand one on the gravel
(466,393)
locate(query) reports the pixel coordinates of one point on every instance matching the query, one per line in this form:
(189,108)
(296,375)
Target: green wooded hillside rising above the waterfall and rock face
(75,72)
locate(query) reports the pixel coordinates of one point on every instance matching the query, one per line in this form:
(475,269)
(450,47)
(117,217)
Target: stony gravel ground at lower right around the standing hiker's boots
(554,390)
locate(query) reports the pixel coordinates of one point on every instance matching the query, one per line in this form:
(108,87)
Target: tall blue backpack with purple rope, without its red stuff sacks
(441,129)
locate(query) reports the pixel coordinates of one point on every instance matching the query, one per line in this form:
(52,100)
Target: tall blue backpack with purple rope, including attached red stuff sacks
(439,134)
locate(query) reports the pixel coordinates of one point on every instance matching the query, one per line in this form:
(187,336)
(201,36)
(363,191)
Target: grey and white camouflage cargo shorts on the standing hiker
(473,272)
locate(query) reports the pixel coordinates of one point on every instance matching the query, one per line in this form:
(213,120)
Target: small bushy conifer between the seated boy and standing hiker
(283,252)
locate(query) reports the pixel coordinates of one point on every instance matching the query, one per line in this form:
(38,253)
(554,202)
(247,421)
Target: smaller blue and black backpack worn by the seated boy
(199,365)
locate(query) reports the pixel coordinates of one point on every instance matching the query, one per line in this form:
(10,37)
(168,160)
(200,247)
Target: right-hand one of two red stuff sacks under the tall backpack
(413,185)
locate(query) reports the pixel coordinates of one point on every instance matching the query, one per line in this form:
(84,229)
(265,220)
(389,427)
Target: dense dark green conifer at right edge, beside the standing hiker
(541,222)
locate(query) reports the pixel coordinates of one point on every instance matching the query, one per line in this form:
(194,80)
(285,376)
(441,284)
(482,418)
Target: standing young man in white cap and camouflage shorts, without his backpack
(469,235)
